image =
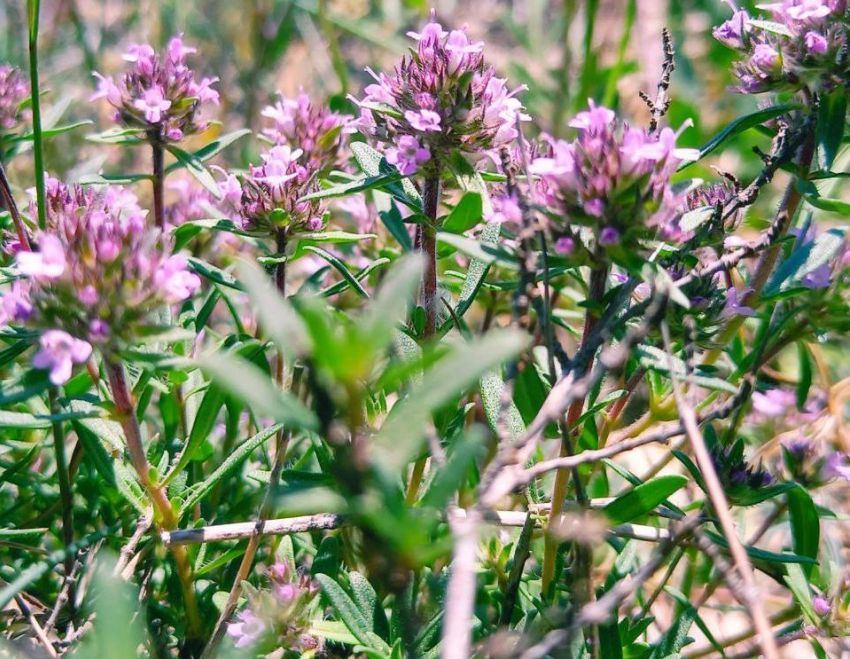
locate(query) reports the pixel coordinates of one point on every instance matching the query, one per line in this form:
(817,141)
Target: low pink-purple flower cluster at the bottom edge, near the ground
(277,617)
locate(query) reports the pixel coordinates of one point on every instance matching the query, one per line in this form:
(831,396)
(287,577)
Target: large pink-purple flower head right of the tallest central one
(614,178)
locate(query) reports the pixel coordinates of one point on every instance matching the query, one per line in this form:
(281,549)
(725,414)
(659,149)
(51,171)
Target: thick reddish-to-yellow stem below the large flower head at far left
(167,520)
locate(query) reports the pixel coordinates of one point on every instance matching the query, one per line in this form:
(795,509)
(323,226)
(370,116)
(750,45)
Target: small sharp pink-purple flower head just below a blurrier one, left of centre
(269,197)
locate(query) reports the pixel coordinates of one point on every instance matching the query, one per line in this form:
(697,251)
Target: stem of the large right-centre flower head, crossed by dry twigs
(596,289)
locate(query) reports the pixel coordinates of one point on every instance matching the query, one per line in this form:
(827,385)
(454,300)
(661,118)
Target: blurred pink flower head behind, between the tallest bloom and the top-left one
(318,132)
